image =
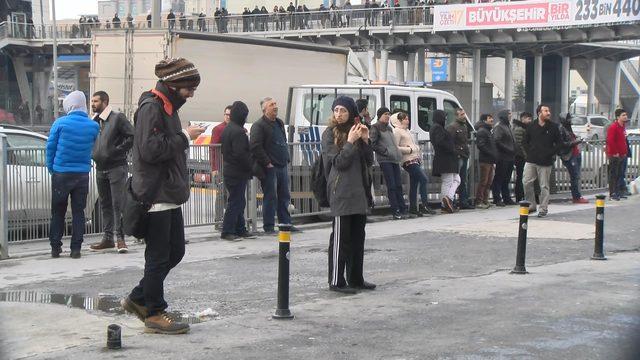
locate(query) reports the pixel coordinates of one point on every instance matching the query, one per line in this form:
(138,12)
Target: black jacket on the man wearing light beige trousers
(542,143)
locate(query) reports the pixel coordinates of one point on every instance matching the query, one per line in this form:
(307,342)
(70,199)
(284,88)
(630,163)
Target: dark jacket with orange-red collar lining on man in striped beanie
(160,150)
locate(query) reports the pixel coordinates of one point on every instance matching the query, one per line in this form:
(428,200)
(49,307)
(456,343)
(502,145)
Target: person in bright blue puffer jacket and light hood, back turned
(69,161)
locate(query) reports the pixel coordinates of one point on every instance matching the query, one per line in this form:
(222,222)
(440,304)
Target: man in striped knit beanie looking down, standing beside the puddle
(160,178)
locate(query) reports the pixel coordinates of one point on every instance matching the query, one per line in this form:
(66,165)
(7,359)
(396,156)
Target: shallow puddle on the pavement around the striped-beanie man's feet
(106,303)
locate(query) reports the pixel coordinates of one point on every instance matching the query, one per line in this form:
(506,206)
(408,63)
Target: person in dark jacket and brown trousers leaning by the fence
(487,159)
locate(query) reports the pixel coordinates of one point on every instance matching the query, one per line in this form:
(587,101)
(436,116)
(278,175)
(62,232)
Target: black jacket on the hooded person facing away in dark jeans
(236,154)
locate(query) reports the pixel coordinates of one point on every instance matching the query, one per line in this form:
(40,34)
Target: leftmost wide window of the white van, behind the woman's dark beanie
(317,105)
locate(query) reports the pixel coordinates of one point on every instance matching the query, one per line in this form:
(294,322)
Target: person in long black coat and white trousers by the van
(445,161)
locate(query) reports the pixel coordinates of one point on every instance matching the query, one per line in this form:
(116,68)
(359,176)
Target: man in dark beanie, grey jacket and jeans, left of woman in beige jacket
(388,156)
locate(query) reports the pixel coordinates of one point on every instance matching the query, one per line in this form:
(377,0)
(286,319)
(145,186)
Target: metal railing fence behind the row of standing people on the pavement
(25,204)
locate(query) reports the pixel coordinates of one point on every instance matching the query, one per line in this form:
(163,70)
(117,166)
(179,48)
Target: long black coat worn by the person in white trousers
(445,160)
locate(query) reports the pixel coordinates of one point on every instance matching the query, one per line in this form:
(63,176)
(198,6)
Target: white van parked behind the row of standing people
(309,107)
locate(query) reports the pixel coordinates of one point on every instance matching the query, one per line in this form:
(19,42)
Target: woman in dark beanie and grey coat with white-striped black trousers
(347,156)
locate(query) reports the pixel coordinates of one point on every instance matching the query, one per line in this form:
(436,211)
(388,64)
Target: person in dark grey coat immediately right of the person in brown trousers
(505,143)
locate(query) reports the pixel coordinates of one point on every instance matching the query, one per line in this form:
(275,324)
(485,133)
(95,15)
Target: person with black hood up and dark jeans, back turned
(236,156)
